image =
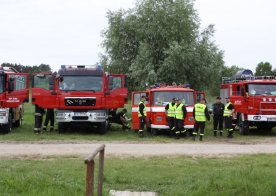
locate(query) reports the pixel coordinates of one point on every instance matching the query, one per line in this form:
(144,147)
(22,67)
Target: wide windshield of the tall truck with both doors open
(81,83)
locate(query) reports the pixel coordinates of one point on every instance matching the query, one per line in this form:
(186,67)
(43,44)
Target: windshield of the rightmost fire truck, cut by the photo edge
(262,89)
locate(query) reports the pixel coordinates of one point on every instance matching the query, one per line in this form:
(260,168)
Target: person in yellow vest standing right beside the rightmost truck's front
(227,114)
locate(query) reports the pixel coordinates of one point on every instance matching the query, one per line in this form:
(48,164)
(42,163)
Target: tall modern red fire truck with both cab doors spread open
(81,94)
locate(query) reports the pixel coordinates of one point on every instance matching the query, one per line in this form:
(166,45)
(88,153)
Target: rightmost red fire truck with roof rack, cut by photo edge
(254,99)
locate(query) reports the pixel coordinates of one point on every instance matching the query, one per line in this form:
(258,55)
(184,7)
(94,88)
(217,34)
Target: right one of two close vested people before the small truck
(180,114)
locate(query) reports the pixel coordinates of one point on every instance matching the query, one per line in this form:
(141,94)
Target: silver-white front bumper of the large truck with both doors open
(81,116)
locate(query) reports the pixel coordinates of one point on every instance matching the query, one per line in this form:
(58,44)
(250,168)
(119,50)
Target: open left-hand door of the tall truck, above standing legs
(43,92)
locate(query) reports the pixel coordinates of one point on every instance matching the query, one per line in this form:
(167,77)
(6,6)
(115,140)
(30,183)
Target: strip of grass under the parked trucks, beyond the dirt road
(25,133)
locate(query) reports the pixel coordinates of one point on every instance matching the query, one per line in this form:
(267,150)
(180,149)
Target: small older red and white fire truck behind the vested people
(157,99)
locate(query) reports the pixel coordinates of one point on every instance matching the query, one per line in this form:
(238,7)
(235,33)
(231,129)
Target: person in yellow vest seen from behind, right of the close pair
(201,114)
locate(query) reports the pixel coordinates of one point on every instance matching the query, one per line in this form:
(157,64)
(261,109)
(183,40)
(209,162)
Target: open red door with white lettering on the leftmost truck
(17,86)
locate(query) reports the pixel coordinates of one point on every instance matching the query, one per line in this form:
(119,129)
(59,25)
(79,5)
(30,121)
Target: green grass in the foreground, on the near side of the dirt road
(242,175)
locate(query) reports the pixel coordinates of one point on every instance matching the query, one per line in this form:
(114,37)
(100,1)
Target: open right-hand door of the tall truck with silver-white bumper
(119,92)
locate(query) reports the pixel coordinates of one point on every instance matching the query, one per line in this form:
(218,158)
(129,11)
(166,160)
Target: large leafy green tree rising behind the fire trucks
(161,41)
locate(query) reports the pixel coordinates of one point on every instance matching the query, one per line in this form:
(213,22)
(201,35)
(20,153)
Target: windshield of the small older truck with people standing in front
(163,98)
